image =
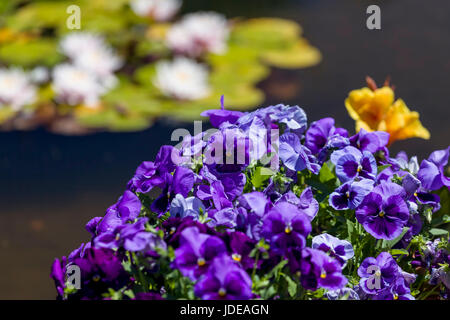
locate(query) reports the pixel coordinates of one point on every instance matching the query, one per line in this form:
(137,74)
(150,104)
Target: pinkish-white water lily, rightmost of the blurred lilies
(198,33)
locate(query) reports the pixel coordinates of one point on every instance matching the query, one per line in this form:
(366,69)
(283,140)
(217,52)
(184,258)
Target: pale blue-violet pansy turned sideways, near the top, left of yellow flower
(295,156)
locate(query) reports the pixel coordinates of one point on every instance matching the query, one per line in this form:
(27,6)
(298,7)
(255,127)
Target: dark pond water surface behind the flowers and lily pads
(51,185)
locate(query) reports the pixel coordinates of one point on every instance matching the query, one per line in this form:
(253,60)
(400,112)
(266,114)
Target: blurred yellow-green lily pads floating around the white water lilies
(30,32)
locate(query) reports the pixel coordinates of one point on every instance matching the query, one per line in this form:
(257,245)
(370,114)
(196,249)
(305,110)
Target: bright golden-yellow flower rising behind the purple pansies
(375,110)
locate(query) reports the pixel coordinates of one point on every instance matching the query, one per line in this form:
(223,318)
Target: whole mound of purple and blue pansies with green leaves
(223,225)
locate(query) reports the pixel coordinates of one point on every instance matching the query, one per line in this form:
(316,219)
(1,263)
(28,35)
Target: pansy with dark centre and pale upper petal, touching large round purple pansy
(350,194)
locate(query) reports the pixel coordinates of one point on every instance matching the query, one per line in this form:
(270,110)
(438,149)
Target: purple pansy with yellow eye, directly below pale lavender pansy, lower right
(318,270)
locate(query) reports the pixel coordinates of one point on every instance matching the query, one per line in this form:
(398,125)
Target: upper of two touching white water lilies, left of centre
(91,52)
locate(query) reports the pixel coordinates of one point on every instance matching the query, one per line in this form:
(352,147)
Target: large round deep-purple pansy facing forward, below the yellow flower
(384,213)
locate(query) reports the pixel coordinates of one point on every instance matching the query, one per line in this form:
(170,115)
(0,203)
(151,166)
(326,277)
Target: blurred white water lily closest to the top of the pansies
(182,79)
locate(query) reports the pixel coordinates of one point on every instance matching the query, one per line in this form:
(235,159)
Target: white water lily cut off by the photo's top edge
(160,10)
